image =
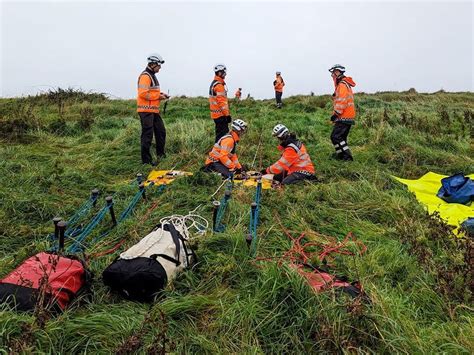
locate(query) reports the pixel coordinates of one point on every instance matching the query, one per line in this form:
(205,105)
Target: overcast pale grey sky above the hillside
(102,46)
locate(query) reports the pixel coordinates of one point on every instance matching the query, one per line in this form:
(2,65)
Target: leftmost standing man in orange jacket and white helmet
(148,108)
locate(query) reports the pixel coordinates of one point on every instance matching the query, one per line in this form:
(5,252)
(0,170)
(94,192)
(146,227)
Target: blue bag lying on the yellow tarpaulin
(457,189)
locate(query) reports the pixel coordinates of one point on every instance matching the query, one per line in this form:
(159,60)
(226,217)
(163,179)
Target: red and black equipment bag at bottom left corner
(46,279)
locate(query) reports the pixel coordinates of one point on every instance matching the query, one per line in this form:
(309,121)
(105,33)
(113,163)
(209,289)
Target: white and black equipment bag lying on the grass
(144,270)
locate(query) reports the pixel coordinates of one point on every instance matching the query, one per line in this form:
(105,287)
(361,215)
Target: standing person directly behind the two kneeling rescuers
(218,103)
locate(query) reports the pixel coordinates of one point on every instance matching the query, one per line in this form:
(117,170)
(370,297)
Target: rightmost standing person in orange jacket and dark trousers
(344,112)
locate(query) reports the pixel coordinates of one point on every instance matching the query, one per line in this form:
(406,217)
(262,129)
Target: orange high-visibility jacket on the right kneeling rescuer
(294,158)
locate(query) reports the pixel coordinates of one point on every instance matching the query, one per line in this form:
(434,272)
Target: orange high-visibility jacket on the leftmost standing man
(148,98)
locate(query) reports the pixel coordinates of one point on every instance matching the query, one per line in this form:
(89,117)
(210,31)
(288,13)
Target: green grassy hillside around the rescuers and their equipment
(55,148)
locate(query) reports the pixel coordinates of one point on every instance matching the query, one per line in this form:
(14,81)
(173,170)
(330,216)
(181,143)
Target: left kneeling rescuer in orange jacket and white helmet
(223,157)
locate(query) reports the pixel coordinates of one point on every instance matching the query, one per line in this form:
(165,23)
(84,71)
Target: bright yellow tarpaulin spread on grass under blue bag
(425,190)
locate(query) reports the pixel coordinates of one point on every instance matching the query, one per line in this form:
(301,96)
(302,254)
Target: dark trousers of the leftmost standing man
(152,124)
